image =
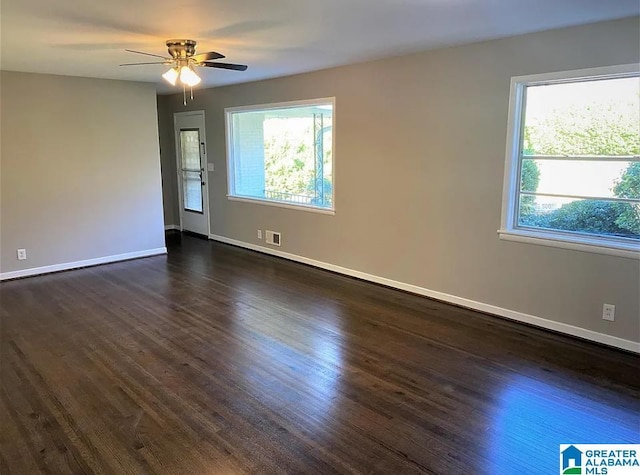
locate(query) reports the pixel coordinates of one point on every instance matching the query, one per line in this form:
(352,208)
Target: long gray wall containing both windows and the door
(420,149)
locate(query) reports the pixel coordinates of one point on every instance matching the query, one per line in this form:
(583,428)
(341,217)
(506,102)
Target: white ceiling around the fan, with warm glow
(274,37)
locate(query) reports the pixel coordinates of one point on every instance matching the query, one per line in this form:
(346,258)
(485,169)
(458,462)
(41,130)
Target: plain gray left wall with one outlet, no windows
(80,169)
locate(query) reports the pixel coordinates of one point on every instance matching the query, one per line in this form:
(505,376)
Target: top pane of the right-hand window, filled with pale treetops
(597,117)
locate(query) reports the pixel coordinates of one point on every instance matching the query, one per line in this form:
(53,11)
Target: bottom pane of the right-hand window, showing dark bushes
(596,217)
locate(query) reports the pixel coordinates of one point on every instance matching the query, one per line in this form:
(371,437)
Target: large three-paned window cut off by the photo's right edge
(572,176)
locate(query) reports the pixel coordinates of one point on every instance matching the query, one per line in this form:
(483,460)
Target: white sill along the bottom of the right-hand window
(576,243)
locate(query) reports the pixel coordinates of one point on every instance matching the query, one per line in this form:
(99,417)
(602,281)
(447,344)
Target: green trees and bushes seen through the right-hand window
(610,131)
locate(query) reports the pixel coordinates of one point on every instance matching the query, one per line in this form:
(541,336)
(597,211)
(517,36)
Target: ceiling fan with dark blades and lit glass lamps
(183,59)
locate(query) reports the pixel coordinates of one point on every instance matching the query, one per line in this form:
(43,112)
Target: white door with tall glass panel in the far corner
(193,185)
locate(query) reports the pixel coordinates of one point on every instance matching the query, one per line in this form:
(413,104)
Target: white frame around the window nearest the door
(232,196)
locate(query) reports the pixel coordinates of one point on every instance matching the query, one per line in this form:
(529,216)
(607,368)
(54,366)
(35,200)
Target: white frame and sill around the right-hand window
(509,230)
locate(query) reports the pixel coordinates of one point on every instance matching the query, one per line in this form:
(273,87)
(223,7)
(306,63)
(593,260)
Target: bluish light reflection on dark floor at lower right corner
(534,418)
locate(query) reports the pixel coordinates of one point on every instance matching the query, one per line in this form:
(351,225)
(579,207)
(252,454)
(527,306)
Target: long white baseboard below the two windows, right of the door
(602,338)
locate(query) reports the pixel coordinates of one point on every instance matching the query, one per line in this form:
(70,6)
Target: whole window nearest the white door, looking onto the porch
(282,154)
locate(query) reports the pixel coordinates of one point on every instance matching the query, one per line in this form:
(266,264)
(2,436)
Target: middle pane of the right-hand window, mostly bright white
(598,179)
